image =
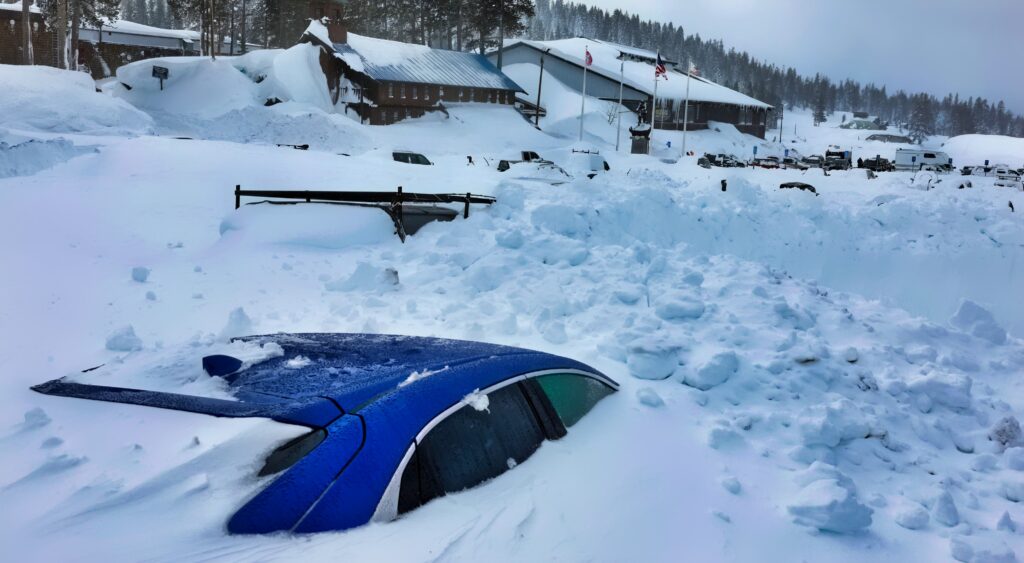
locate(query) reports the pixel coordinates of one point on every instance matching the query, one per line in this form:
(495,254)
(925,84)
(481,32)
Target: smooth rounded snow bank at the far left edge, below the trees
(41,99)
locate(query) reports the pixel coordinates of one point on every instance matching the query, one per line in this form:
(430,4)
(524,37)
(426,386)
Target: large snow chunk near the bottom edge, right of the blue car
(829,506)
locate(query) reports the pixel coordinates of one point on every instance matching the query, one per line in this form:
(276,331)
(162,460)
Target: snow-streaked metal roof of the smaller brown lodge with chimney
(393,61)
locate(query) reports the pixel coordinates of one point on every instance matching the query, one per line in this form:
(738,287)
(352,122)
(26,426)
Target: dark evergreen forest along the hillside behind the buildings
(478,25)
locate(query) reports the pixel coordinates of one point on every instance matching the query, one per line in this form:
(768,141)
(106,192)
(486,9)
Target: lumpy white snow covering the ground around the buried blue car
(802,377)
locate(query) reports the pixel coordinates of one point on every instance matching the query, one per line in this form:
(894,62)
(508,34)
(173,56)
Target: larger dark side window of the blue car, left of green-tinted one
(472,447)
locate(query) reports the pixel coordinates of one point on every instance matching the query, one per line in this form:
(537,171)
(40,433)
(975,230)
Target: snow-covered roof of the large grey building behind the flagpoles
(641,75)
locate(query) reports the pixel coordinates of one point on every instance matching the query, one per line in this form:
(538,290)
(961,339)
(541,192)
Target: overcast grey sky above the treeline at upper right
(975,48)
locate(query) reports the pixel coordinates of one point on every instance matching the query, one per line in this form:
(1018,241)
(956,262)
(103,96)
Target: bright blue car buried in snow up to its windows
(395,421)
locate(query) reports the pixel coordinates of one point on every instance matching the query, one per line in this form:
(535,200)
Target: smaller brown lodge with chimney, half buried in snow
(385,82)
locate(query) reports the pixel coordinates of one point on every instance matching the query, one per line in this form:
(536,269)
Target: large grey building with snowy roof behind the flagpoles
(634,69)
